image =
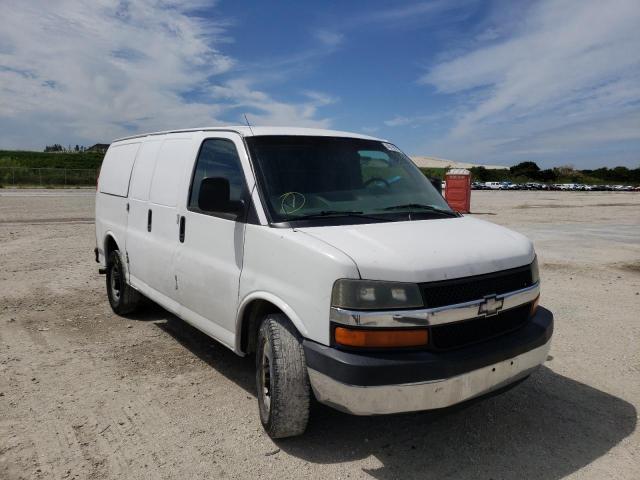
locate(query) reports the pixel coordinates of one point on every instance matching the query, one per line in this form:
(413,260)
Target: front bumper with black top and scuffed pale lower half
(380,383)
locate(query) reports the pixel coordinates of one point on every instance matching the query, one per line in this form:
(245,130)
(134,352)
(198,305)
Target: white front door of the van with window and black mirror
(210,253)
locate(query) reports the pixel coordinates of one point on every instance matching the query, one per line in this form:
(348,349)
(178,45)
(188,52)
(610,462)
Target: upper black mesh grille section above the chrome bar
(459,290)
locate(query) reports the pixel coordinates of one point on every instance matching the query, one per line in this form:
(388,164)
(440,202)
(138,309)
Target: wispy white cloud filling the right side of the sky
(568,66)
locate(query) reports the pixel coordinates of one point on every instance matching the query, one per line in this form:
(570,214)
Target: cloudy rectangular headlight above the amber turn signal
(375,295)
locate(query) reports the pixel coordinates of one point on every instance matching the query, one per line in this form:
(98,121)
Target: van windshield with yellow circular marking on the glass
(312,178)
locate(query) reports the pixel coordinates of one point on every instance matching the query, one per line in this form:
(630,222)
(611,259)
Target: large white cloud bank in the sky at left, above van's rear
(83,71)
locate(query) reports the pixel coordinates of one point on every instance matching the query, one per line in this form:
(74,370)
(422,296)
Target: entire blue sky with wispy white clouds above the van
(500,82)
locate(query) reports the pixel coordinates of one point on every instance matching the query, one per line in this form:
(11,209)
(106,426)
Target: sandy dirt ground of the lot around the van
(87,394)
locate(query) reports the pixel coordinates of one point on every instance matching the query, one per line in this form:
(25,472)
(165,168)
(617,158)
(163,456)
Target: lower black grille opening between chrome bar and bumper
(460,334)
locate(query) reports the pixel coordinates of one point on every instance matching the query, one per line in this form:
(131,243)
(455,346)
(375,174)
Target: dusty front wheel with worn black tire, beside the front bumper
(281,378)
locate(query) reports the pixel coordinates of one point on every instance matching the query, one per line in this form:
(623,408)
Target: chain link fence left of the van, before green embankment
(47,177)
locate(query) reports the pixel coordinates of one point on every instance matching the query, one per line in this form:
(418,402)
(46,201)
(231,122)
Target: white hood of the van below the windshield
(427,250)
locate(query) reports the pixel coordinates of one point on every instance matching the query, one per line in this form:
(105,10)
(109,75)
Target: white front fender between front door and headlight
(296,268)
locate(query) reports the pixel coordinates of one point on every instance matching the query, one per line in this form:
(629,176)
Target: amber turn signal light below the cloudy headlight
(381,338)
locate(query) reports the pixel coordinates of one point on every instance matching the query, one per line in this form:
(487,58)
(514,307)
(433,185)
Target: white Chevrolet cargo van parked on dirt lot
(327,255)
